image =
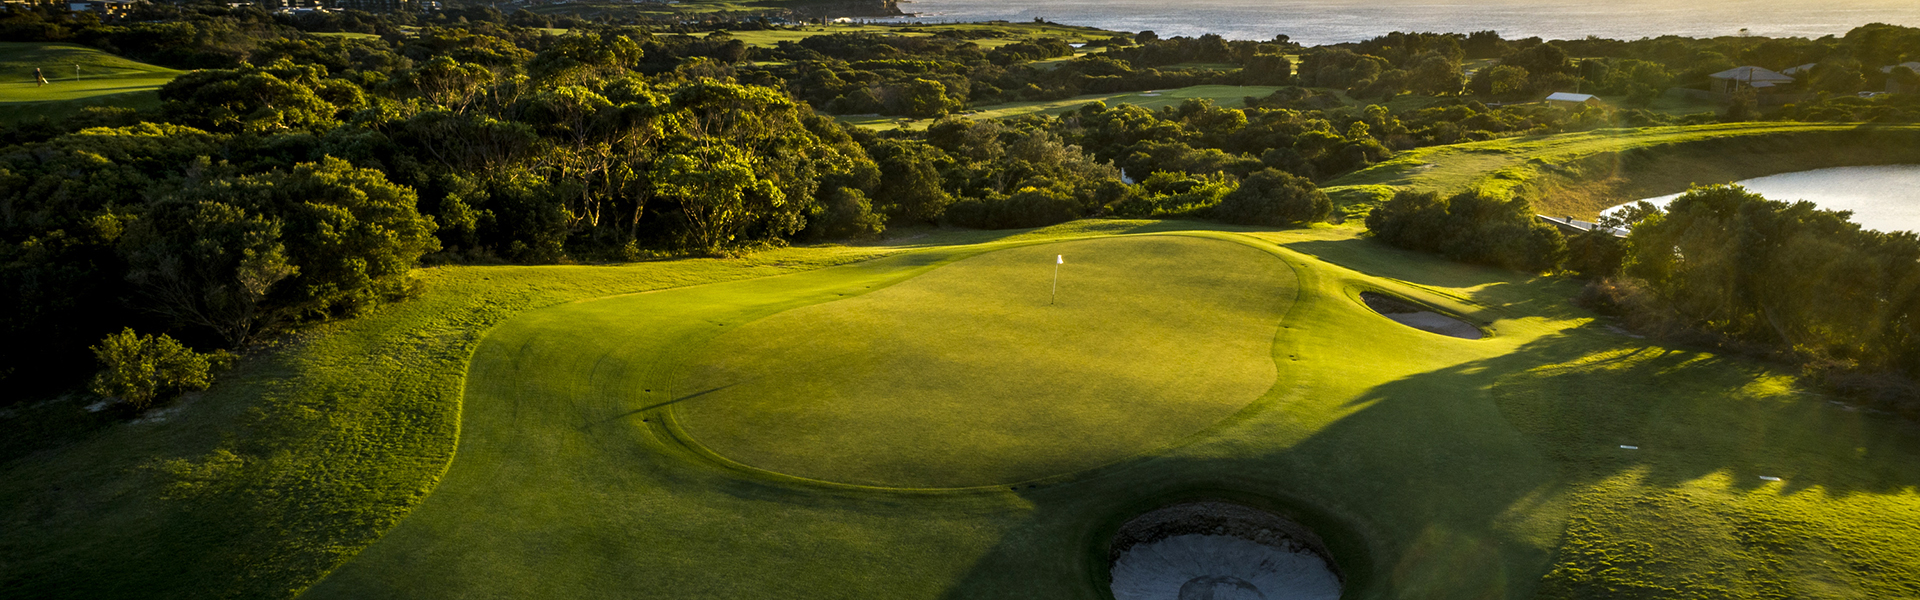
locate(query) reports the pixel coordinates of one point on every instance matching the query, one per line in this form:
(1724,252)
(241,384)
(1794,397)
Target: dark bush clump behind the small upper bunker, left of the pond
(1470,228)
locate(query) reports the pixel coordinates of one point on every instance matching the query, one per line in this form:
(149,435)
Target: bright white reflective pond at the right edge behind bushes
(1886,197)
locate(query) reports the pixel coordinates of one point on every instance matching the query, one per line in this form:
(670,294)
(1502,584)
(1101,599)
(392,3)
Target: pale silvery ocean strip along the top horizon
(1328,22)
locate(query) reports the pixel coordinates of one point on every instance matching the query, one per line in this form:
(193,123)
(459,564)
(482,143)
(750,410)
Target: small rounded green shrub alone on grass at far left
(145,370)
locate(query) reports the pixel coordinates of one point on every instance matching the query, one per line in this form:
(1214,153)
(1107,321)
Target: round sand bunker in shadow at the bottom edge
(1216,551)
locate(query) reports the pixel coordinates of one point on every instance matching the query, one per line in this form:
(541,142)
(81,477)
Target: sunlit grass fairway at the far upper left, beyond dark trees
(103,80)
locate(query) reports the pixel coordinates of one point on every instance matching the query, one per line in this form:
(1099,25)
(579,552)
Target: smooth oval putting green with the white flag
(967,376)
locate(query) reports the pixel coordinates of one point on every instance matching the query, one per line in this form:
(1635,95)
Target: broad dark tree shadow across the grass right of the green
(1456,484)
